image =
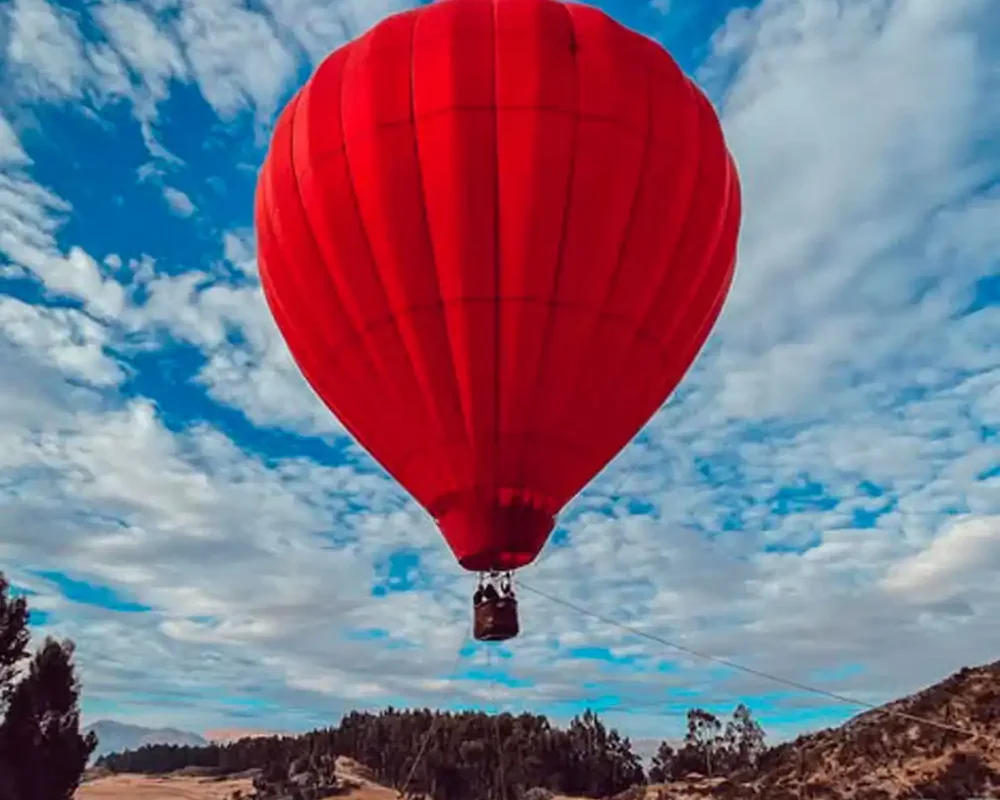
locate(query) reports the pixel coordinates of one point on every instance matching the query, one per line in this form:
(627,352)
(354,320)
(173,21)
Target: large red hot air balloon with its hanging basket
(495,234)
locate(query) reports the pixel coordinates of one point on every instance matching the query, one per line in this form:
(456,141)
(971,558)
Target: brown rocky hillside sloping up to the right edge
(881,755)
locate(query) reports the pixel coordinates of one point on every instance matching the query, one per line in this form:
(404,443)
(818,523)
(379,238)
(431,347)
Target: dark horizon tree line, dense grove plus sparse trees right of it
(466,755)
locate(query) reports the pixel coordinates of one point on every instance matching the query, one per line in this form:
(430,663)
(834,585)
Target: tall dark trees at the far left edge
(42,752)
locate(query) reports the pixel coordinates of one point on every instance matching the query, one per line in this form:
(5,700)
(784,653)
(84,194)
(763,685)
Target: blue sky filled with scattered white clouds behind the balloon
(819,500)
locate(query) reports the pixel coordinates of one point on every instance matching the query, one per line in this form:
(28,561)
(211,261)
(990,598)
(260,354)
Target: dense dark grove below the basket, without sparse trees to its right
(461,759)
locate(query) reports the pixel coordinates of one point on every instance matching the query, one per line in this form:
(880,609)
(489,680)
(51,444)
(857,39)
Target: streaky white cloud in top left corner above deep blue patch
(239,58)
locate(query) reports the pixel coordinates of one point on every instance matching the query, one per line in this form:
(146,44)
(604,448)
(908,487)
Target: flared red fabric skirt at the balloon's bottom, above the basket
(495,535)
